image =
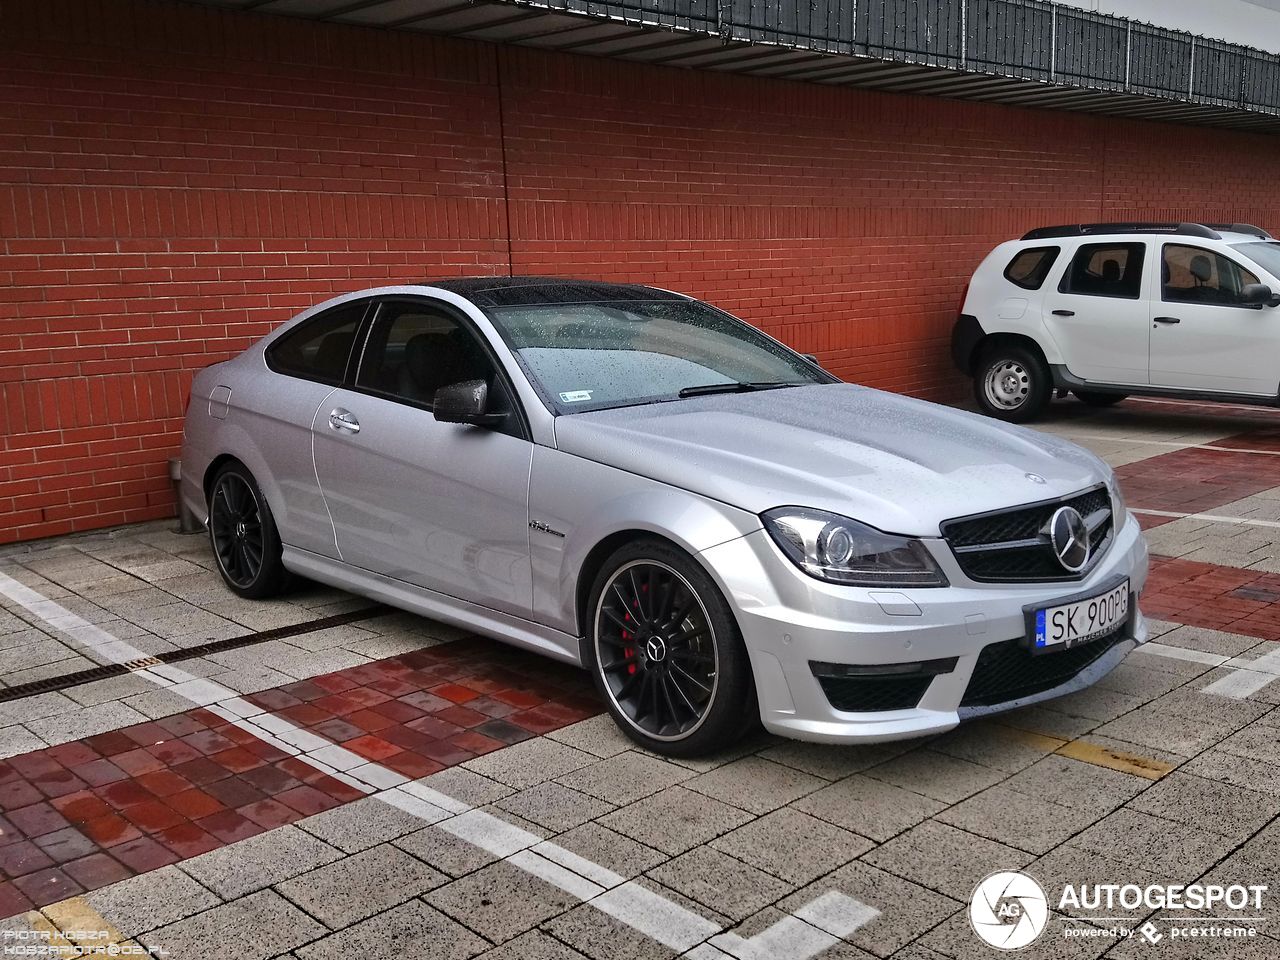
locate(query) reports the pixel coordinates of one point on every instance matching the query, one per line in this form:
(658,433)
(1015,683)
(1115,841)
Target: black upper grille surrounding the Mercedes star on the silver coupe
(1012,547)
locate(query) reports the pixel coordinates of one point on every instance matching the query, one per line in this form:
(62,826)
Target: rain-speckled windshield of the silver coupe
(591,356)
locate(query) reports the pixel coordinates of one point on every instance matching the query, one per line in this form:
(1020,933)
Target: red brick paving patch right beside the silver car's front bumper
(1214,597)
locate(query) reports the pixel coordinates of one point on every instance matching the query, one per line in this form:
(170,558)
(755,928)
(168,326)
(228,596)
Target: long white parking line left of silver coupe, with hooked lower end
(796,938)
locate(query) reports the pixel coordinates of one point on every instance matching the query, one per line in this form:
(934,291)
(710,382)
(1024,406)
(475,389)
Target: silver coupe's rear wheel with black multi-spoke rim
(244,536)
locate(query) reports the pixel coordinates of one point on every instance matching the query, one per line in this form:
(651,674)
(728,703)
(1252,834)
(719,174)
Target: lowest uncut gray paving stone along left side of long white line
(501,902)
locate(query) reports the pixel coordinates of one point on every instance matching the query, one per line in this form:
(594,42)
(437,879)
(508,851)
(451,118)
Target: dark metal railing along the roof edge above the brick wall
(1036,40)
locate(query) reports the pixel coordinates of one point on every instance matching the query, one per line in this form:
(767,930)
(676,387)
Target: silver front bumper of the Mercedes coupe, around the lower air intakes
(790,620)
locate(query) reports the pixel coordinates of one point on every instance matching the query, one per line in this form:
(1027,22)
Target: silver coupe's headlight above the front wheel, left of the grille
(843,551)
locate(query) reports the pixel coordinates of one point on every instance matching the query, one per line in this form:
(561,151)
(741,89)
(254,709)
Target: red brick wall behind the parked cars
(175,181)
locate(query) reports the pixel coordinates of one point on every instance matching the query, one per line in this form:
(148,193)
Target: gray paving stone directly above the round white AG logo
(1021,821)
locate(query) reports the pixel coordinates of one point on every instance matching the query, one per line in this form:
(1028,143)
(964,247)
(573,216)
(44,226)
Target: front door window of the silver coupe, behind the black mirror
(414,350)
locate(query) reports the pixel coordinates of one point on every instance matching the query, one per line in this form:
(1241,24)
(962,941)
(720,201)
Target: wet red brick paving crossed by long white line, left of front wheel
(81,816)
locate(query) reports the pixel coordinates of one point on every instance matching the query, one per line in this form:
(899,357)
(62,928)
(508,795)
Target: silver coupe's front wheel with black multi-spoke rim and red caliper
(685,691)
